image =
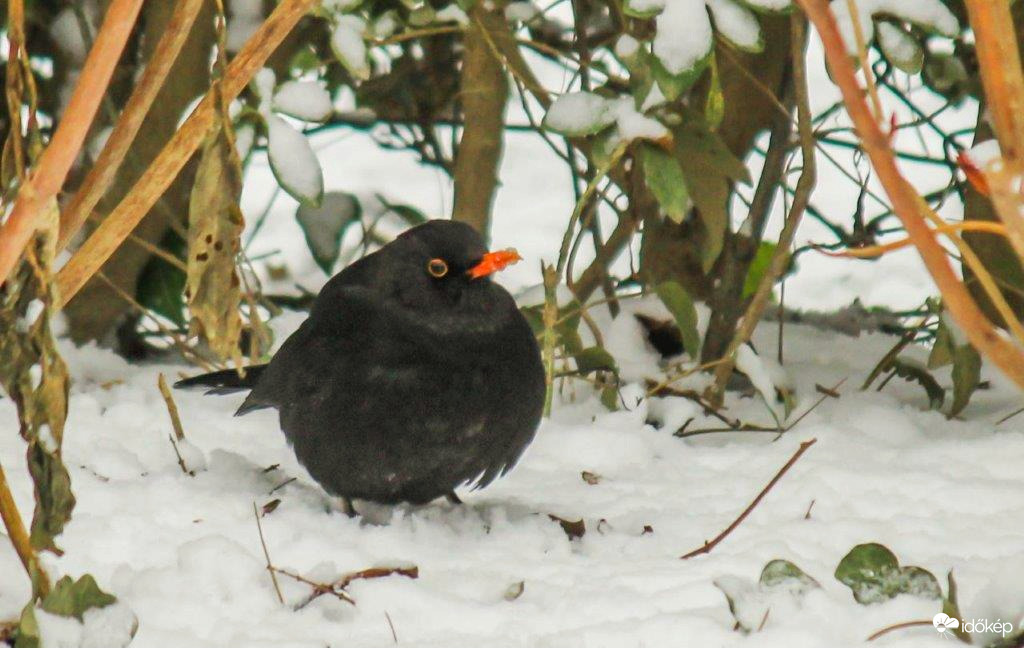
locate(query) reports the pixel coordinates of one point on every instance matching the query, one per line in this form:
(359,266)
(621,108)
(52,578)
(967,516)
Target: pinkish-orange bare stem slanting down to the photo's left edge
(60,155)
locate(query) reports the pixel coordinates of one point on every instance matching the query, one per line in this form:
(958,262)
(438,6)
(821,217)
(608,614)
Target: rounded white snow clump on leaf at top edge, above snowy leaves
(685,35)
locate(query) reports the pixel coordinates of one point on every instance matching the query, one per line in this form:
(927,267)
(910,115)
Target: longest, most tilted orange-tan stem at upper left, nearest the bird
(155,181)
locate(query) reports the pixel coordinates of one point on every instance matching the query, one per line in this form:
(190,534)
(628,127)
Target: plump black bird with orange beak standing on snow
(413,375)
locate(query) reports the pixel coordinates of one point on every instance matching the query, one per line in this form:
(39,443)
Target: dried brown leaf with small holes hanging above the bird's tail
(216,224)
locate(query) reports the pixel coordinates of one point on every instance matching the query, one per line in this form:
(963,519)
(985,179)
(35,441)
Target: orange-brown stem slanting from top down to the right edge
(907,203)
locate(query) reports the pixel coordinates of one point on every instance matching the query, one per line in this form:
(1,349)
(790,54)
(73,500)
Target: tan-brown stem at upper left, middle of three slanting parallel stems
(106,167)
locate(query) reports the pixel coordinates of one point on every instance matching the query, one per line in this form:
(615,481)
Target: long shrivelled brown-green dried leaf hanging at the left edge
(35,377)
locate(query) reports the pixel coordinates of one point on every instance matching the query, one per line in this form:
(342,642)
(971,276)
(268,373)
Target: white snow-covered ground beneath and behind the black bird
(185,553)
